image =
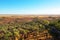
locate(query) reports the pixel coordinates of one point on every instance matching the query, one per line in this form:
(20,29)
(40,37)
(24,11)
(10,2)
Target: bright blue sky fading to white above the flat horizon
(30,7)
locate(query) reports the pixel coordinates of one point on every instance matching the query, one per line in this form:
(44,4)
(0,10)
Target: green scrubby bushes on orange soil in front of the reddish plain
(32,30)
